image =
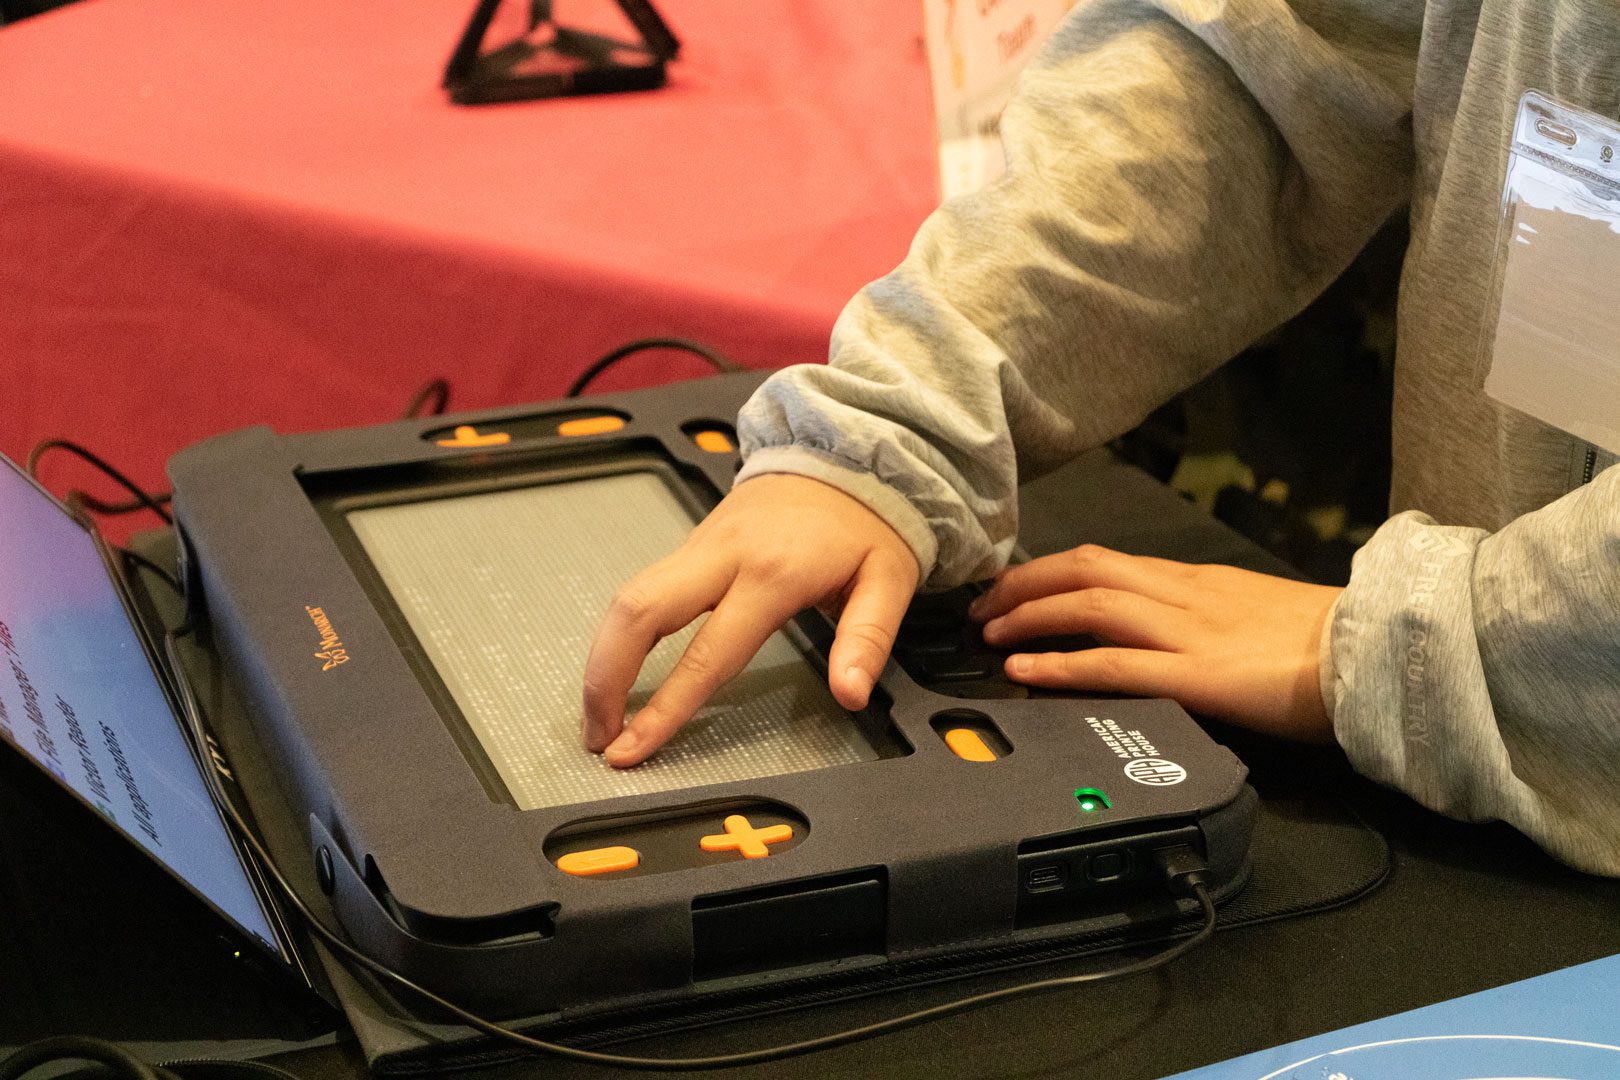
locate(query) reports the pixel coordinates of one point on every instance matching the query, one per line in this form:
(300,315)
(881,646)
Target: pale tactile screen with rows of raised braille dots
(505,592)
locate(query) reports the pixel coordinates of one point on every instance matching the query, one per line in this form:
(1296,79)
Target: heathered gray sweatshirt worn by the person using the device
(1185,176)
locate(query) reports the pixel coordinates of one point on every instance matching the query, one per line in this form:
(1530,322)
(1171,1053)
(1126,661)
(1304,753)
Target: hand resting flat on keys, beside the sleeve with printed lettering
(1224,642)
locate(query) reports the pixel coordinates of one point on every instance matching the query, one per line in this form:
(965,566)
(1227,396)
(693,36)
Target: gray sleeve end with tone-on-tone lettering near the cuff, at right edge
(1481,673)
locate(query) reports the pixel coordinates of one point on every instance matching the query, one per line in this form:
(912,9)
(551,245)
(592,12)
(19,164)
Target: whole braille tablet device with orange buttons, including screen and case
(407,611)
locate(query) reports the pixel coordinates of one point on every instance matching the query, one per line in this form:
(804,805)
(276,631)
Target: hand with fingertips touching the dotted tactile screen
(774,548)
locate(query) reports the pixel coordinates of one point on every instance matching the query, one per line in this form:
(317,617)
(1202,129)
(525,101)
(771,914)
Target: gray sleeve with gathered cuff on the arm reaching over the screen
(1182,177)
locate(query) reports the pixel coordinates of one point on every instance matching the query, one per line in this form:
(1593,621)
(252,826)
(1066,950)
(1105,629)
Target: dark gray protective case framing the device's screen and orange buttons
(918,856)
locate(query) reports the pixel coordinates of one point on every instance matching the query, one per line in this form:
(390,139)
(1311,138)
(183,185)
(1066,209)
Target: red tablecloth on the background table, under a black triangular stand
(229,213)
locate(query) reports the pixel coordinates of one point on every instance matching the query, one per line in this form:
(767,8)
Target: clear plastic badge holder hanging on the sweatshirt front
(1553,342)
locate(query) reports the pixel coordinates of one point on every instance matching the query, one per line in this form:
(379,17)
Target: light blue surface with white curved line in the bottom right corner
(1564,1026)
